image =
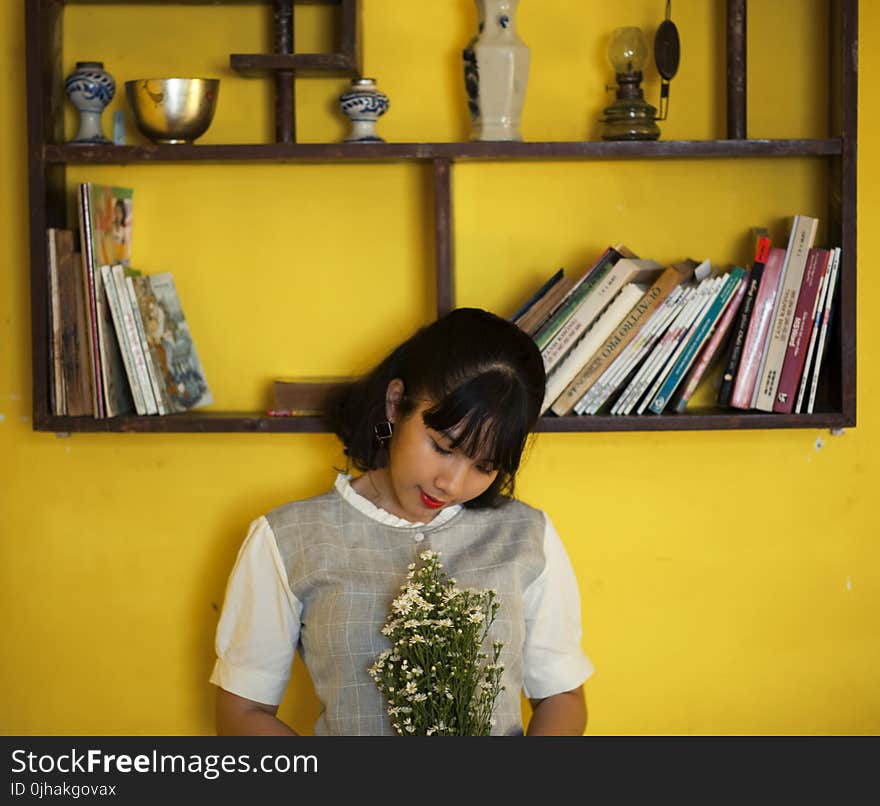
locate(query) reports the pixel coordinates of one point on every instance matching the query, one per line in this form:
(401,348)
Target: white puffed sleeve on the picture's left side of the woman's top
(259,626)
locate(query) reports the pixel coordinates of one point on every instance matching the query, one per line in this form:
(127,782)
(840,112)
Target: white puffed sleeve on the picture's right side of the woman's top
(553,660)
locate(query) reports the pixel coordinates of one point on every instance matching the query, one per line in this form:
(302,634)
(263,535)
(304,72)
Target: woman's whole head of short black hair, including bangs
(476,369)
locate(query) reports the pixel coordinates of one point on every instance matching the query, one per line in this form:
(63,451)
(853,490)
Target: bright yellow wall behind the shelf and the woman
(729,580)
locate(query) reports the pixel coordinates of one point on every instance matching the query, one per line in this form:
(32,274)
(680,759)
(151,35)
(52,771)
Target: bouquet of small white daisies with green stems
(436,677)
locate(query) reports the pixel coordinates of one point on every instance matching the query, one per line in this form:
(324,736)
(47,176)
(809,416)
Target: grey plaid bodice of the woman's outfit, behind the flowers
(345,568)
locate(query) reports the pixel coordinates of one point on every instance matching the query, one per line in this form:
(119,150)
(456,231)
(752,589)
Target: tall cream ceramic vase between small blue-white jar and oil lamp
(496,68)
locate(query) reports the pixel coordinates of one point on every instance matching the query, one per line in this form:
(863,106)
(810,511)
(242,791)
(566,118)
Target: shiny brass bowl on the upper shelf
(173,110)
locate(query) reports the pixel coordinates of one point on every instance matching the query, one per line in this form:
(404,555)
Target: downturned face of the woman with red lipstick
(426,474)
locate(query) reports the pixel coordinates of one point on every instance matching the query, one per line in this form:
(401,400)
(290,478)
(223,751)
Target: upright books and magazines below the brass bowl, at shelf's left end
(120,342)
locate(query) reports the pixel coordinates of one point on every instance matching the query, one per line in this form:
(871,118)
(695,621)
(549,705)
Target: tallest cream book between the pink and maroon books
(803,234)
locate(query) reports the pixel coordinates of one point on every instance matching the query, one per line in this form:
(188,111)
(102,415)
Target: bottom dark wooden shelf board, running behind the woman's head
(256,422)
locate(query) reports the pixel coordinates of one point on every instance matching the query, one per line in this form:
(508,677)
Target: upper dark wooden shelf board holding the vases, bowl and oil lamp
(390,152)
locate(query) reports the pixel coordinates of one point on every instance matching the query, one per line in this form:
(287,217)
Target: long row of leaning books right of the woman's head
(632,337)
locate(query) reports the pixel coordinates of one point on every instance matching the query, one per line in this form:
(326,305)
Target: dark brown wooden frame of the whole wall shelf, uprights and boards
(48,158)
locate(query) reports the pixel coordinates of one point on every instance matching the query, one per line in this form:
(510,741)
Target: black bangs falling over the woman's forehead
(491,418)
